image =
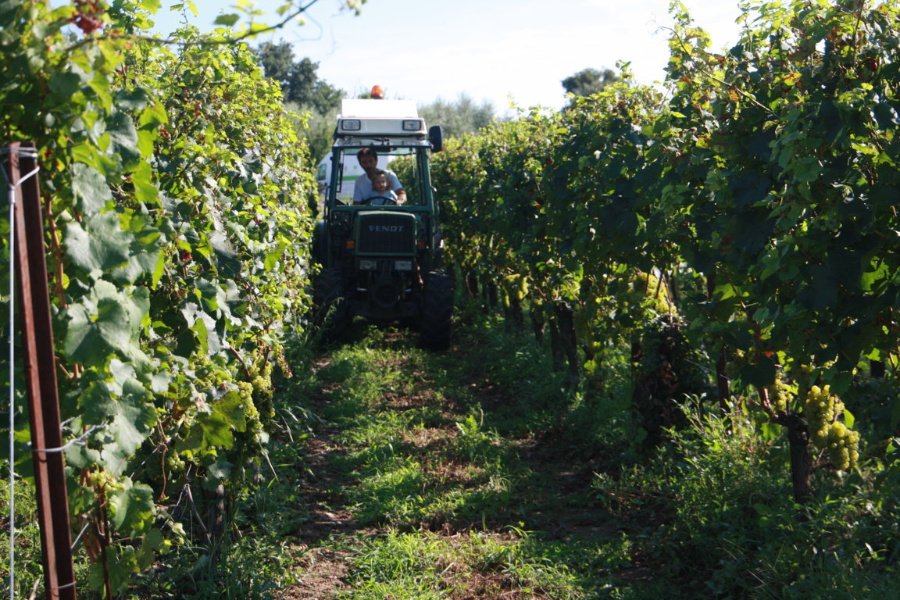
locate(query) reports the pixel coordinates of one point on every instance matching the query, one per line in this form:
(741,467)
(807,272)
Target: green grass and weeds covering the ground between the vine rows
(478,473)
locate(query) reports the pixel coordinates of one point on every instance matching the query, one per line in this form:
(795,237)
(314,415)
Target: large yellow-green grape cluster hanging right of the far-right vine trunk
(822,409)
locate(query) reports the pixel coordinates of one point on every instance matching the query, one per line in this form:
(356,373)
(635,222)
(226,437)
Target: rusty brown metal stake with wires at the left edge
(40,376)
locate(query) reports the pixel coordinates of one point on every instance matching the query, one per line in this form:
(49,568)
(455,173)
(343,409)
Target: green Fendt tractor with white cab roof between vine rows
(381,257)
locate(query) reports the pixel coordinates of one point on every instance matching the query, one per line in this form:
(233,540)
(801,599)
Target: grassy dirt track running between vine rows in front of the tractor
(413,456)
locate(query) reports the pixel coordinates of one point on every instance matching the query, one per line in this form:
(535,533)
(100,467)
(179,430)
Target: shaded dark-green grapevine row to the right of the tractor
(761,190)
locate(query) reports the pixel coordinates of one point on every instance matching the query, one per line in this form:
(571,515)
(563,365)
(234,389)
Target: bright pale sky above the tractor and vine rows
(511,53)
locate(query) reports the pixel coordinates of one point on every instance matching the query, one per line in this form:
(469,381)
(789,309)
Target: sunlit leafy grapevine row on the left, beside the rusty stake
(177,193)
